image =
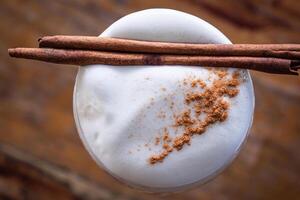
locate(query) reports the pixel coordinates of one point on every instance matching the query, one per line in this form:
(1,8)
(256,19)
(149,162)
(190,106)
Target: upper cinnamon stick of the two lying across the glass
(287,51)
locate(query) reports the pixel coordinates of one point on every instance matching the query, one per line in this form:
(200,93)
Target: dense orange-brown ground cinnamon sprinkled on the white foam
(209,102)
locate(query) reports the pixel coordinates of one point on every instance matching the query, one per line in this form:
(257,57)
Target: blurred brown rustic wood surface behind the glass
(41,155)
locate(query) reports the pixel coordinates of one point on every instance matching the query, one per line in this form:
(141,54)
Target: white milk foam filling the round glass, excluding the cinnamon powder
(116,108)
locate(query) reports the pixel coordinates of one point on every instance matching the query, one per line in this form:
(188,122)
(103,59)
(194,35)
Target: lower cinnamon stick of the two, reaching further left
(87,57)
